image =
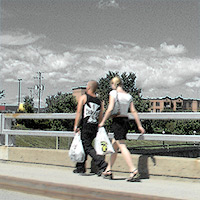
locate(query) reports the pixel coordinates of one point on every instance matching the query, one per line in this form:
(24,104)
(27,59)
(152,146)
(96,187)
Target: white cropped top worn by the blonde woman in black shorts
(124,100)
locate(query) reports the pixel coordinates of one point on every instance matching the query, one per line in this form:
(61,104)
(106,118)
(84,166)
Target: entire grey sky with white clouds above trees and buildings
(73,41)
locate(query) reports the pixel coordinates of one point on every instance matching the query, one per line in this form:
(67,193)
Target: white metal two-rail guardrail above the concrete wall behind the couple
(5,126)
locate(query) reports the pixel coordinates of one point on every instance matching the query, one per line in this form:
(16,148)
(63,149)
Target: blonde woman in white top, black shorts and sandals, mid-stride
(120,127)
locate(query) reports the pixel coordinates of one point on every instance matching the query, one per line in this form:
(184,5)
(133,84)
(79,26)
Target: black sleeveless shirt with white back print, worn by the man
(91,111)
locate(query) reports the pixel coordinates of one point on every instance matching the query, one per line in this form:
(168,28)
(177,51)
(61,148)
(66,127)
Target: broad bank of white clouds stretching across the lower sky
(158,70)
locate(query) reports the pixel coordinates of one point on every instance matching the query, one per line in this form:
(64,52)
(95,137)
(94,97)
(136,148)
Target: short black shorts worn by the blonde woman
(120,127)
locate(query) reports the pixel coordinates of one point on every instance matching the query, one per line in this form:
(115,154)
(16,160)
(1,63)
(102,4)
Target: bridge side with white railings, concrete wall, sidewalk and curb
(49,171)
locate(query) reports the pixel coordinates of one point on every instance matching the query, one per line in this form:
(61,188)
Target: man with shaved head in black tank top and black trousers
(89,113)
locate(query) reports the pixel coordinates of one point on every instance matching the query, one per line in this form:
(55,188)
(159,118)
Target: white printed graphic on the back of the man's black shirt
(92,111)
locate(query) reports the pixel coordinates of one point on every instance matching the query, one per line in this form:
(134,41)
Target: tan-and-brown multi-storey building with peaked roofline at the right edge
(174,104)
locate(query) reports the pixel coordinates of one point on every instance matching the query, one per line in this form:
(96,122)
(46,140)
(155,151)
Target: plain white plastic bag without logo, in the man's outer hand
(76,151)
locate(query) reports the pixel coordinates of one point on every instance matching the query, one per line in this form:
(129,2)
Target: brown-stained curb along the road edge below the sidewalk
(68,192)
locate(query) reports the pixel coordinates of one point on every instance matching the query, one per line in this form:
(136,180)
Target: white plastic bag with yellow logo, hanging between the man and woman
(102,143)
